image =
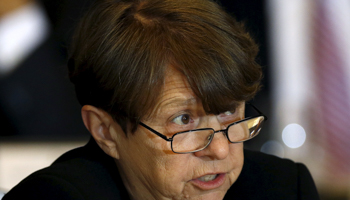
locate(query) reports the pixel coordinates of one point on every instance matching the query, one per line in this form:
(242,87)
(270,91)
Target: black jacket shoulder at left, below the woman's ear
(82,173)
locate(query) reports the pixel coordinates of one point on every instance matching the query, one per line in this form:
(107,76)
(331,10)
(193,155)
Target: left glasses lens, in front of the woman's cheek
(191,141)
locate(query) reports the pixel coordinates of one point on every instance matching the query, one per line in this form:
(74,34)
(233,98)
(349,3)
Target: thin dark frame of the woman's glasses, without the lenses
(225,131)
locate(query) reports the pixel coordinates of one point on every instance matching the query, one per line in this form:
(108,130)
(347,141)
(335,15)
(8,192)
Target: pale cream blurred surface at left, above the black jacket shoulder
(19,159)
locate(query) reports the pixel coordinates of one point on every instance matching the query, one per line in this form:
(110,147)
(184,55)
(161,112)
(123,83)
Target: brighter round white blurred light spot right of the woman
(293,135)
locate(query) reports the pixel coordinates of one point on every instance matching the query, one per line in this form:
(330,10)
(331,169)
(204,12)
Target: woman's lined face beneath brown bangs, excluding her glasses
(149,168)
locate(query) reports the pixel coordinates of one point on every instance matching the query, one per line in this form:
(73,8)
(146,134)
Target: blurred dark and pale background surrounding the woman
(304,51)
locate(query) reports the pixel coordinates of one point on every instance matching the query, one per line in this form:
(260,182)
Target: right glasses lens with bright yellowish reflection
(245,130)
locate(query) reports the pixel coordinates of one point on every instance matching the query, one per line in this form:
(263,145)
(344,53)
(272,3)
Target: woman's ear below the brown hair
(99,124)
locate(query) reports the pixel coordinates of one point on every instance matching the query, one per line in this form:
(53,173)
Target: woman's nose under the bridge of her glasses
(218,149)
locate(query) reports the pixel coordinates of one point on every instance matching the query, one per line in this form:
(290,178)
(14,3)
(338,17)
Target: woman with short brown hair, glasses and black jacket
(163,85)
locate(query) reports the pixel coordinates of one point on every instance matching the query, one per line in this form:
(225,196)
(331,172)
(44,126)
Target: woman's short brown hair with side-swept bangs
(122,49)
